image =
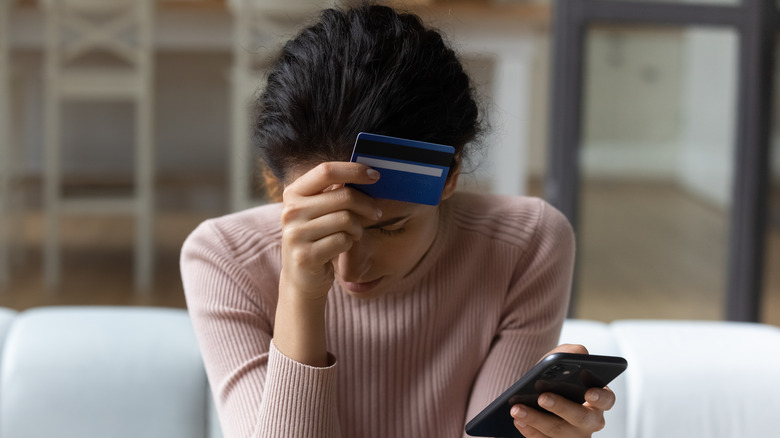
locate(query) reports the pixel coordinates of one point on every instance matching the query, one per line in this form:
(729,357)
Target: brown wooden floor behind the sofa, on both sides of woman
(645,251)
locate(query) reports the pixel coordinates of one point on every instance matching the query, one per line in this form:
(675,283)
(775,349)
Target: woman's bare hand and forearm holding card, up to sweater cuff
(320,220)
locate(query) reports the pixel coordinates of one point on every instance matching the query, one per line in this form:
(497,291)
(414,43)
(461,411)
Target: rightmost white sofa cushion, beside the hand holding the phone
(701,379)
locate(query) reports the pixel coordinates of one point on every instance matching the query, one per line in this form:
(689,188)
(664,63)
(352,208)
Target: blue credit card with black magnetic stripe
(410,170)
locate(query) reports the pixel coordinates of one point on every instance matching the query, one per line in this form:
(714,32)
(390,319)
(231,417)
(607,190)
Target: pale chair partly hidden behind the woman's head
(260,27)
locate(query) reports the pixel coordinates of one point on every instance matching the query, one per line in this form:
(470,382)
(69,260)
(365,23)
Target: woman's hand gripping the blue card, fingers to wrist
(320,220)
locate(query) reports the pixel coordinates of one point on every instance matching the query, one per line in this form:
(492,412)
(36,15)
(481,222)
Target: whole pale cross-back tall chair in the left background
(77,30)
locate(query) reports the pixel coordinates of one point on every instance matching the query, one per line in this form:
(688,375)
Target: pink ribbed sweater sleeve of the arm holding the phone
(534,309)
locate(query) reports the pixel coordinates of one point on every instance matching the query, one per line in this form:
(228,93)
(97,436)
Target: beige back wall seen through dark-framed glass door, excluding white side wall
(632,80)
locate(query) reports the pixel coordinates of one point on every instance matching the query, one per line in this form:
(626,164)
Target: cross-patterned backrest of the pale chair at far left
(80,30)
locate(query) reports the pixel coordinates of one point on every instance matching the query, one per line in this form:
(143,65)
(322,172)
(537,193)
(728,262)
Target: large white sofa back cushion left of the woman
(96,372)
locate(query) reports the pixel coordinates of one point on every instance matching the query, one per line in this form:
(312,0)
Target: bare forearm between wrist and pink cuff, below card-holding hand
(299,327)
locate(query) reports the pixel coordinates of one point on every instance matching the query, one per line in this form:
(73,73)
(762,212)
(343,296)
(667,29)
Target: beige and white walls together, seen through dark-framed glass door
(659,105)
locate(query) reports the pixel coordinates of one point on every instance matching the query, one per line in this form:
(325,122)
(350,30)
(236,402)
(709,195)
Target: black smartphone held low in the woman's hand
(566,374)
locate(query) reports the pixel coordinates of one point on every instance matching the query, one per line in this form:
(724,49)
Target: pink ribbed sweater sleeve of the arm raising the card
(258,391)
